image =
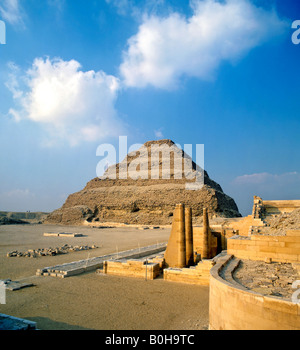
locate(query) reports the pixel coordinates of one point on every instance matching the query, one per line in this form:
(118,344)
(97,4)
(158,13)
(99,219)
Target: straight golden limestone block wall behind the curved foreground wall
(258,247)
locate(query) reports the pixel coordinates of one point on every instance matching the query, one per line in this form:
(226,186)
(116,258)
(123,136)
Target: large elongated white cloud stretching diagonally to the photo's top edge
(167,48)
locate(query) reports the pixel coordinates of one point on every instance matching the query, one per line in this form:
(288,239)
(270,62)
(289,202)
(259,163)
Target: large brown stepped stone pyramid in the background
(149,198)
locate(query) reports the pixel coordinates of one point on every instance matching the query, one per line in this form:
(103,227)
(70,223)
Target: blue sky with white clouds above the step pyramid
(75,74)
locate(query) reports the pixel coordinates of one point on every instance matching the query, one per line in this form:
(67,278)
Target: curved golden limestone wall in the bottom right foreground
(235,308)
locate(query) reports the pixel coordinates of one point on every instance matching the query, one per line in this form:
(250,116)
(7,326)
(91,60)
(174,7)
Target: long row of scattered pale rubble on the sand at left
(34,253)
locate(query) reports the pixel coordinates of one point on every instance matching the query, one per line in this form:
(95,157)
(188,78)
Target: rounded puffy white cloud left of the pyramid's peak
(71,104)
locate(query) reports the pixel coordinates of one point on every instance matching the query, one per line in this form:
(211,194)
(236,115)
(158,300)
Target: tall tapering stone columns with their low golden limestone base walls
(184,260)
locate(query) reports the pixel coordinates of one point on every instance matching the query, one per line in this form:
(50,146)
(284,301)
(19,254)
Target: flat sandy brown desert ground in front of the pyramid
(92,301)
